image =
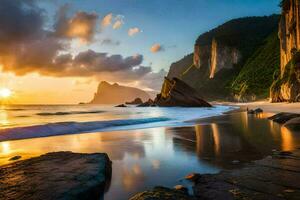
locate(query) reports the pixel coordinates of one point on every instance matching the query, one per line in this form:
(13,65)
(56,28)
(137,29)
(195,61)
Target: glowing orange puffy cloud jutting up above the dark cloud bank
(82,25)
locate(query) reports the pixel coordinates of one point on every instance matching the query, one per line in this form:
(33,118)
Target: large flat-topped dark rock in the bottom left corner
(59,175)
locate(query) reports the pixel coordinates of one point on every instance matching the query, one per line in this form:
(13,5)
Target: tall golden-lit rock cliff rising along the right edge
(286,86)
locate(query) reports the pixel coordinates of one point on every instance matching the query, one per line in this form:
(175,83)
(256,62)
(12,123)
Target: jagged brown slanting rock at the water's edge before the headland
(175,92)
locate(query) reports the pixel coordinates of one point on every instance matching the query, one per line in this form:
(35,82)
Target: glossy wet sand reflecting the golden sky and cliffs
(145,158)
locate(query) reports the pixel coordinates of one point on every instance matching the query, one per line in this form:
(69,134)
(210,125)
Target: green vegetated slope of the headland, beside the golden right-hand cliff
(256,76)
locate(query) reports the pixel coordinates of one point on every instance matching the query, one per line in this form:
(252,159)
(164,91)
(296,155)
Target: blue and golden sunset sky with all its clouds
(57,51)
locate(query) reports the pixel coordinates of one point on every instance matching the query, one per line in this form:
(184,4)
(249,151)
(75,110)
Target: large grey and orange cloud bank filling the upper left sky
(27,46)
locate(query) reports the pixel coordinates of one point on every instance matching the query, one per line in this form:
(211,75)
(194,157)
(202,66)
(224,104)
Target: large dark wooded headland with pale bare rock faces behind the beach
(220,55)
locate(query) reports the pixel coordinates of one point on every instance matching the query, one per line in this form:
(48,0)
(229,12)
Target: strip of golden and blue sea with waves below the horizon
(31,121)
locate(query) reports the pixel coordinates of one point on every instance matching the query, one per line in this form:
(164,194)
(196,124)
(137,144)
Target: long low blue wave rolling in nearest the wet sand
(63,128)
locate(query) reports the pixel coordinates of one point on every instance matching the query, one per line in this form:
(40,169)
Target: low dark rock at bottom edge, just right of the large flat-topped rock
(162,193)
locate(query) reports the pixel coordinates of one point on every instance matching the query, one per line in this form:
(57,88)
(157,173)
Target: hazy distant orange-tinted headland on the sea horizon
(117,94)
